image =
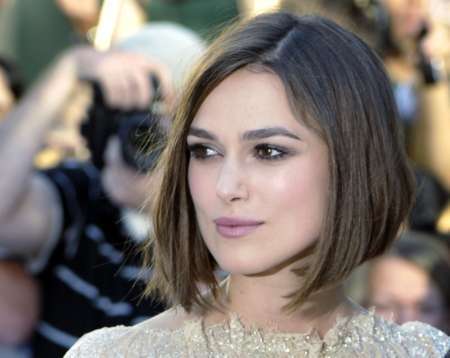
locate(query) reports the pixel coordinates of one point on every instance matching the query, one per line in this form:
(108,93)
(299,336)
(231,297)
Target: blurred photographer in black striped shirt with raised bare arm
(77,225)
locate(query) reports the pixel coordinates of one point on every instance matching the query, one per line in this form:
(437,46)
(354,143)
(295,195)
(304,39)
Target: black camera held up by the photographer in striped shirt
(139,131)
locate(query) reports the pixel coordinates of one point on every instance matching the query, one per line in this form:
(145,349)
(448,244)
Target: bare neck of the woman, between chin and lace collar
(260,300)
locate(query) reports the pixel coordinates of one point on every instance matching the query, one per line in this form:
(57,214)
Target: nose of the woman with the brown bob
(231,182)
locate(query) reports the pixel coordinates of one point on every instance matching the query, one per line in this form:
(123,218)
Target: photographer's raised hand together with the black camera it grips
(129,91)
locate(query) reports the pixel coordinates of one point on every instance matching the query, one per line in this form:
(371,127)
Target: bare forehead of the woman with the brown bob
(247,99)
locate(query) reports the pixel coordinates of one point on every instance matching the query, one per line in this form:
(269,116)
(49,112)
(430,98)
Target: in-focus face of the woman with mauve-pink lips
(258,177)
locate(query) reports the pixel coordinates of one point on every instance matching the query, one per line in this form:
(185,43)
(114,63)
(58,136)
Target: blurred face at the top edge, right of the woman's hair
(407,17)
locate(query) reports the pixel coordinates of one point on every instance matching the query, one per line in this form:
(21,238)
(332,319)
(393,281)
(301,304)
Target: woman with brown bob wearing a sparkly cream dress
(284,168)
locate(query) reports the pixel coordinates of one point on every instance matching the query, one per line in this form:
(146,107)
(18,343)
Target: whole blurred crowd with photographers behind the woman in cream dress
(87,89)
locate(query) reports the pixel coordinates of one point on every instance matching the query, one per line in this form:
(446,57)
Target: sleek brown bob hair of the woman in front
(338,86)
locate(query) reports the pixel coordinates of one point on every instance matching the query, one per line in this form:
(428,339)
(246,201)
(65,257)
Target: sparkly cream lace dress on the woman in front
(364,335)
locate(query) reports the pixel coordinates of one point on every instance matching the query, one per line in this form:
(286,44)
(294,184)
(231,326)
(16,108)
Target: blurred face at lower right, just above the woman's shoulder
(404,292)
